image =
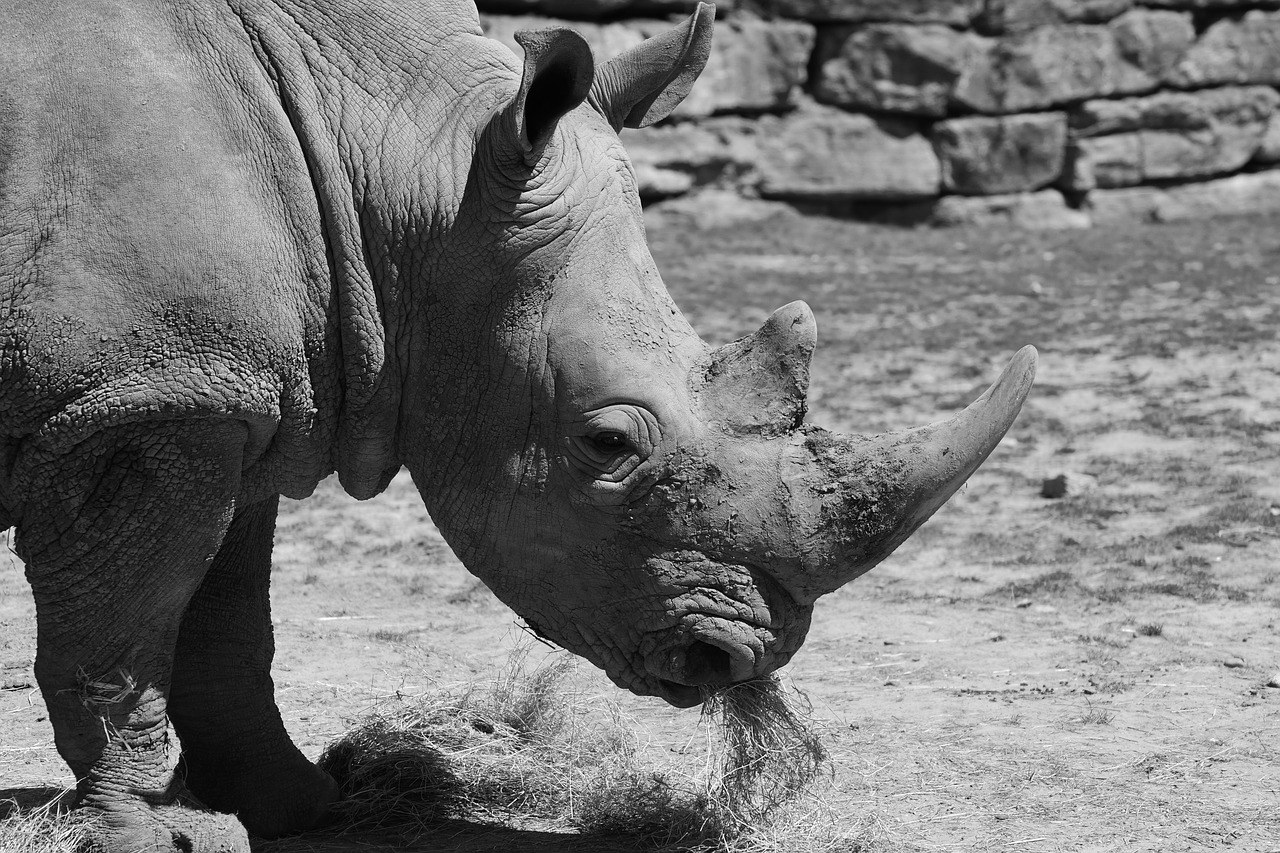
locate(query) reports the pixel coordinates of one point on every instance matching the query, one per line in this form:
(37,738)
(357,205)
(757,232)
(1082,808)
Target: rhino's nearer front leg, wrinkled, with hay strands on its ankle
(117,535)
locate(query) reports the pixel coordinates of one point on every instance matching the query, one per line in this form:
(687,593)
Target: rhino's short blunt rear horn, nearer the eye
(758,385)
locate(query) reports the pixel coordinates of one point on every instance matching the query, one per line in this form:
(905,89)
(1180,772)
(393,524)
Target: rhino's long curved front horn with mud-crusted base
(857,499)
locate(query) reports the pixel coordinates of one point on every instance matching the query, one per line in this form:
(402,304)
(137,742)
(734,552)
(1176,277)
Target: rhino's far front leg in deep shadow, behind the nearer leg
(236,754)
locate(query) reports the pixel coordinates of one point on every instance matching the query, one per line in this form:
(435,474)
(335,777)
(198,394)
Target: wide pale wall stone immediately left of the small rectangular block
(821,156)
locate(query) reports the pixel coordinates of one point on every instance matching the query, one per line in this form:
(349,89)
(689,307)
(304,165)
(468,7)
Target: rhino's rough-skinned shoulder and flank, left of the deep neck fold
(161,257)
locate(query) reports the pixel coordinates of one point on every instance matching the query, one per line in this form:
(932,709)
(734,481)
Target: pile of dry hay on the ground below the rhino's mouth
(533,754)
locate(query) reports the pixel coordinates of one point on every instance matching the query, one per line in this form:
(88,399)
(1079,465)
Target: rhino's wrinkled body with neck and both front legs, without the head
(202,309)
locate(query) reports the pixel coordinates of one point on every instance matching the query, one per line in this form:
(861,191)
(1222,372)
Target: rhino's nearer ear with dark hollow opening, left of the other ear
(557,76)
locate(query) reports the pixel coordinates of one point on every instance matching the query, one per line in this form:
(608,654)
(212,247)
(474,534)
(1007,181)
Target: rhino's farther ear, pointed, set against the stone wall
(647,83)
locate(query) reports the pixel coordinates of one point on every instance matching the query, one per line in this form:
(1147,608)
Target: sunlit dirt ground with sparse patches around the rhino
(1085,673)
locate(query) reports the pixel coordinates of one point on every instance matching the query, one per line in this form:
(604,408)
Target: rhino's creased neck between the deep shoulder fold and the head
(386,148)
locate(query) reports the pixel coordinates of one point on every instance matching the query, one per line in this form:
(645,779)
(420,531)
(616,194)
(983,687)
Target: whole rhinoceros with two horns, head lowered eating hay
(248,244)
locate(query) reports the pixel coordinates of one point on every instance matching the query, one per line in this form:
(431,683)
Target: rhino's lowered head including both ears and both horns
(650,503)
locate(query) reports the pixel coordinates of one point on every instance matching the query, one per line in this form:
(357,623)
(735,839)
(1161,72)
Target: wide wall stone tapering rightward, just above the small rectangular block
(1048,67)
